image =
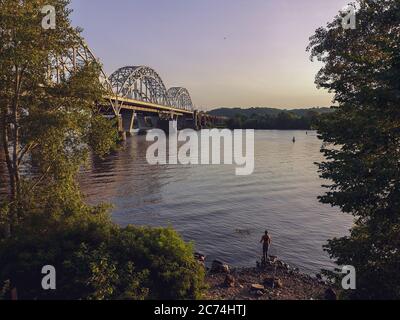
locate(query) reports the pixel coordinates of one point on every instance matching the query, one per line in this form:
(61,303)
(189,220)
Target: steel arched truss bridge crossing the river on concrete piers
(136,95)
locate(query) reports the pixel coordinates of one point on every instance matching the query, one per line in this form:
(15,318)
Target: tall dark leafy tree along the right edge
(362,142)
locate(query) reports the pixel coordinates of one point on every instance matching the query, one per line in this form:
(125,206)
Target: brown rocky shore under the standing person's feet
(274,281)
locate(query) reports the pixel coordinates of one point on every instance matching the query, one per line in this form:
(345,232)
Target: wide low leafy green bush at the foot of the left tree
(97,260)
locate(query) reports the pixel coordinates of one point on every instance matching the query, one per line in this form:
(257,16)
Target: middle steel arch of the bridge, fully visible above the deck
(139,83)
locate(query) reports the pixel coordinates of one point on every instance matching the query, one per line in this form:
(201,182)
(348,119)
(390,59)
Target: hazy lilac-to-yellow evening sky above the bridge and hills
(228,53)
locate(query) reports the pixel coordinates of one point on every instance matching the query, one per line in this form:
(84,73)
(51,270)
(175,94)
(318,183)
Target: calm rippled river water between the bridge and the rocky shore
(226,215)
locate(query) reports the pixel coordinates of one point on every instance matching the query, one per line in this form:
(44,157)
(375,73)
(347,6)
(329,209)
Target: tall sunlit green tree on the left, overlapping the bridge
(48,126)
